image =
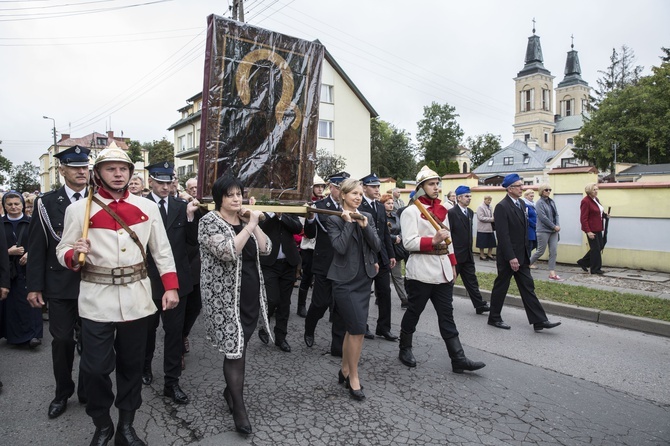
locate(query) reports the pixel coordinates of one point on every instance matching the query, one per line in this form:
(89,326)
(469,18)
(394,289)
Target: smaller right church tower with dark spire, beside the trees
(572,98)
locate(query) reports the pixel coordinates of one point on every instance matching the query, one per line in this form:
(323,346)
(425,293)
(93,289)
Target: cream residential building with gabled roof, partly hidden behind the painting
(344,124)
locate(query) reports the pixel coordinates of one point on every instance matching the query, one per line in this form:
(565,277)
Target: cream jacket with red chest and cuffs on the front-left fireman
(111,246)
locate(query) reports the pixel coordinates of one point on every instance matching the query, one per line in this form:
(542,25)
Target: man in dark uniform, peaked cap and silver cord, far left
(49,281)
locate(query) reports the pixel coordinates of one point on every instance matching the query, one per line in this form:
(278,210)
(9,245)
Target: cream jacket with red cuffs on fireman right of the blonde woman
(417,234)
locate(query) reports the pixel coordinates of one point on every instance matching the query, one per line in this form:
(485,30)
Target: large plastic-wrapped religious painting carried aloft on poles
(260,110)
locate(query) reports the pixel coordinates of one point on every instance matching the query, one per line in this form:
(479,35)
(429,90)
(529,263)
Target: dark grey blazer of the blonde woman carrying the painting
(346,244)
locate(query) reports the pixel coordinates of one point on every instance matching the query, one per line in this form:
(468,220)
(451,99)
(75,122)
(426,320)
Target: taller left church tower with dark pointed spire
(534,117)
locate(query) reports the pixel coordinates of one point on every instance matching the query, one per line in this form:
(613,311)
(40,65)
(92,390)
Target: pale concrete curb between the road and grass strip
(646,325)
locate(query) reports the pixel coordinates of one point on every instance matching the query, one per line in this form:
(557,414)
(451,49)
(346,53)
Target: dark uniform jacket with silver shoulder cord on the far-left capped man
(44,272)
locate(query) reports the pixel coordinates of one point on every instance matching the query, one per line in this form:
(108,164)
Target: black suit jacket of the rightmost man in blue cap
(512,231)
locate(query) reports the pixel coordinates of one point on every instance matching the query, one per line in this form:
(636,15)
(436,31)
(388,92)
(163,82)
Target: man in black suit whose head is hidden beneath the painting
(279,272)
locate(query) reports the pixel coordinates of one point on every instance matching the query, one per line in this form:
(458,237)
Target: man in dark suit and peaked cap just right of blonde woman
(386,257)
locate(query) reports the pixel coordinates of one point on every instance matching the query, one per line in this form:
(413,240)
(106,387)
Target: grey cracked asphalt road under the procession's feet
(581,383)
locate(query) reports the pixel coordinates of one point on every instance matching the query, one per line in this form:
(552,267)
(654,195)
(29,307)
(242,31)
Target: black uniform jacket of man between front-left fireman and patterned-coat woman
(182,236)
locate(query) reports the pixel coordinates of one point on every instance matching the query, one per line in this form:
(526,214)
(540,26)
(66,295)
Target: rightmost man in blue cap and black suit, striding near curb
(513,258)
